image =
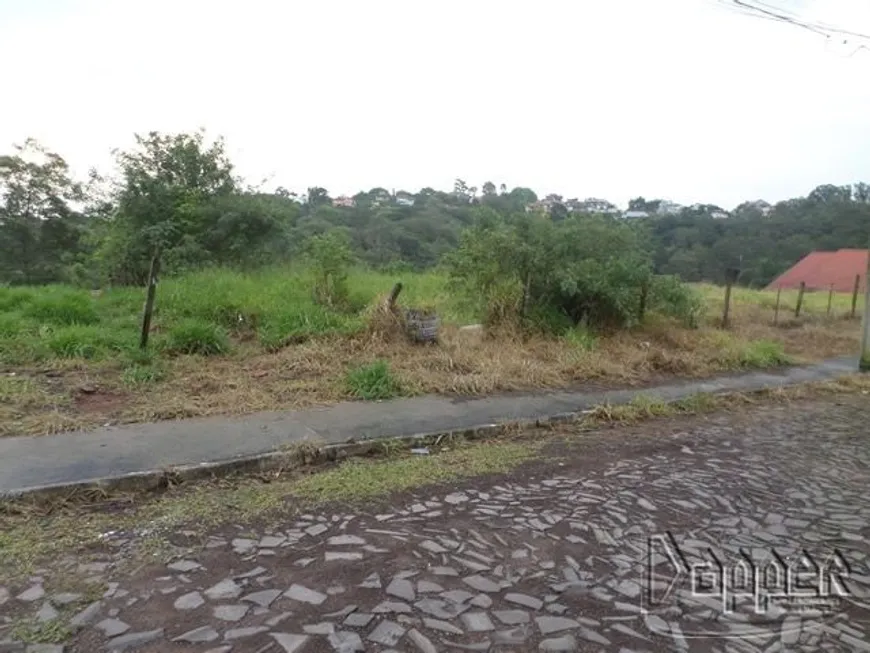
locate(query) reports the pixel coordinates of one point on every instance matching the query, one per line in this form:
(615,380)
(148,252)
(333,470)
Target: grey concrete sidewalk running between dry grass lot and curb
(27,463)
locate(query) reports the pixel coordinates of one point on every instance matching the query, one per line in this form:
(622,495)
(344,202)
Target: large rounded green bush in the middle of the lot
(586,269)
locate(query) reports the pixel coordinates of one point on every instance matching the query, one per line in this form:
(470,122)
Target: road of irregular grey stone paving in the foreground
(590,552)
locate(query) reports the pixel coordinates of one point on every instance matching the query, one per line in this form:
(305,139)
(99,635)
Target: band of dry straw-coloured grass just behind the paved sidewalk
(51,400)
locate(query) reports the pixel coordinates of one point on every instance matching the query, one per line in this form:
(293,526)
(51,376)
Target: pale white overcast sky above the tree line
(680,99)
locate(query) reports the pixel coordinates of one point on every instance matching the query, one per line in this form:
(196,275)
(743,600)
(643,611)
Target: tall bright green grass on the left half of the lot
(201,312)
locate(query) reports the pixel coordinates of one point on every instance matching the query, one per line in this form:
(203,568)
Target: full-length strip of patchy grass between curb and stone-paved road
(69,529)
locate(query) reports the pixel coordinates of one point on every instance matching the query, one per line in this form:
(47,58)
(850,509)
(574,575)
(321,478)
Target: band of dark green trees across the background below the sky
(178,193)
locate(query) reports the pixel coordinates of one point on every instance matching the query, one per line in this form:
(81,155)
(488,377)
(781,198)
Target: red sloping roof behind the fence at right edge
(821,270)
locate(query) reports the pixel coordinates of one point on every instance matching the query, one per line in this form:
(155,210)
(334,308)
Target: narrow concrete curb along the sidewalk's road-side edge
(309,452)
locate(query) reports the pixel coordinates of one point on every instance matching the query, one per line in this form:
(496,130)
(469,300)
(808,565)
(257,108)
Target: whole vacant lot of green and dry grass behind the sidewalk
(228,343)
